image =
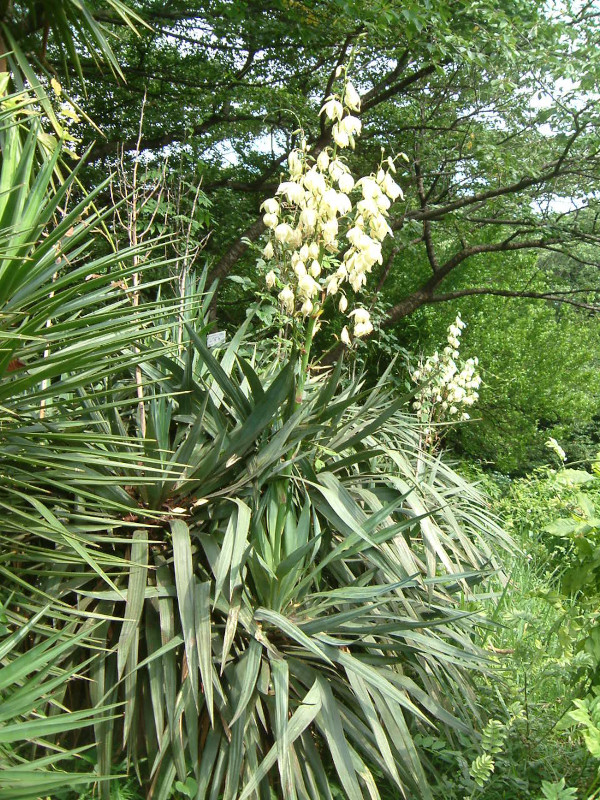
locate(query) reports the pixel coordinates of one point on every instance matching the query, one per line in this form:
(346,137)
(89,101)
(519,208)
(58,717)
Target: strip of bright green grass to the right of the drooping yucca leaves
(538,642)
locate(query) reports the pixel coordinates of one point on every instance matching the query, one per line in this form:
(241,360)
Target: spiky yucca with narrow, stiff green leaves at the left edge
(67,330)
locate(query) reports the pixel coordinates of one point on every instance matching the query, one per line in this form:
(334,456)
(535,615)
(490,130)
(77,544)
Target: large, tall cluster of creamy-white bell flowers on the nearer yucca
(321,238)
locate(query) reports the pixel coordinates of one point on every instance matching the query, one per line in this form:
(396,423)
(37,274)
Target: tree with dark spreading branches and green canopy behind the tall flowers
(492,102)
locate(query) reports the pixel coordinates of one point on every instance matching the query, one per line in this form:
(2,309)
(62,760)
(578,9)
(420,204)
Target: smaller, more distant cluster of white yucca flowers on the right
(447,385)
